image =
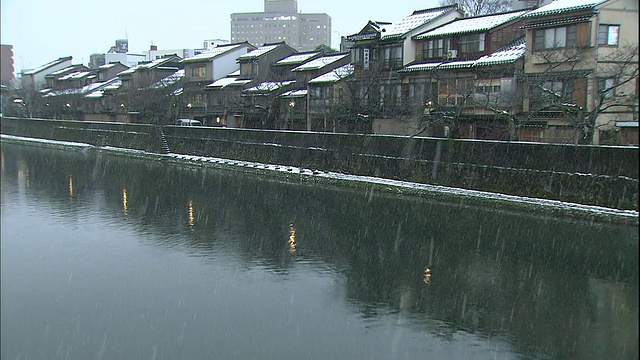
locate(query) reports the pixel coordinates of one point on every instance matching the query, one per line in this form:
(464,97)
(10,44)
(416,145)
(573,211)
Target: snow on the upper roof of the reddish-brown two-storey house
(472,24)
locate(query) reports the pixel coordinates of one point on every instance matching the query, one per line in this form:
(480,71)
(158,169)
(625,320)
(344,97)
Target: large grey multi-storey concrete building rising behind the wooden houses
(279,22)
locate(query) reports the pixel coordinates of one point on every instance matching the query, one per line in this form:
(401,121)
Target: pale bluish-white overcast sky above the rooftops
(44,30)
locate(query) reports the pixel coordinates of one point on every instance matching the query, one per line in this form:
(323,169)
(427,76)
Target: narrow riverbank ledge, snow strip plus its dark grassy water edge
(466,197)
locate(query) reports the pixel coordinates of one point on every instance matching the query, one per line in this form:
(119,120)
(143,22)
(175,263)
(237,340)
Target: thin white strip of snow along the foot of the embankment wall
(362,179)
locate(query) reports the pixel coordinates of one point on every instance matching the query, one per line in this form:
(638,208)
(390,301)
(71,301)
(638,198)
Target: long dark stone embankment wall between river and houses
(593,175)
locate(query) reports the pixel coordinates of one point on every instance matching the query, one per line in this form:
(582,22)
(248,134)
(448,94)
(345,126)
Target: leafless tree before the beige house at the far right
(586,93)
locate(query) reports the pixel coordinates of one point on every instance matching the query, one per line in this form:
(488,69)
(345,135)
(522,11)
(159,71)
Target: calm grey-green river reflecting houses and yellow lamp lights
(112,257)
